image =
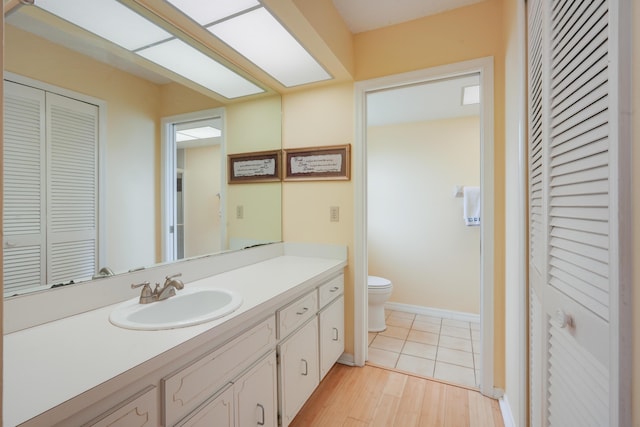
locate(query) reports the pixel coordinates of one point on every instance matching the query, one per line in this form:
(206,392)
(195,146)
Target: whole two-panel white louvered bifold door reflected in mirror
(50,188)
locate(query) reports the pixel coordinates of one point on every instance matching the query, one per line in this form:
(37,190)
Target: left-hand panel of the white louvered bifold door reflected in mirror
(24,181)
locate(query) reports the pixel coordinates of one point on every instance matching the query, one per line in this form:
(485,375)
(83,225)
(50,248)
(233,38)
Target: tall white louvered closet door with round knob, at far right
(571,225)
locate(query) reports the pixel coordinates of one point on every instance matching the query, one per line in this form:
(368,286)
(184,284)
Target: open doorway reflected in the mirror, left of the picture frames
(193,185)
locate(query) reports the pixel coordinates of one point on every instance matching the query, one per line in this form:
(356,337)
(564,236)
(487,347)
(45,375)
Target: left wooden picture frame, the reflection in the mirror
(259,166)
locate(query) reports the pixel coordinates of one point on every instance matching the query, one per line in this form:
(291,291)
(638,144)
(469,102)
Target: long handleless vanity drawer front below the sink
(188,388)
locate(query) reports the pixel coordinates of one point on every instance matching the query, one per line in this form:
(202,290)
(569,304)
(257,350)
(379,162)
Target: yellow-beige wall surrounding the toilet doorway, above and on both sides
(462,34)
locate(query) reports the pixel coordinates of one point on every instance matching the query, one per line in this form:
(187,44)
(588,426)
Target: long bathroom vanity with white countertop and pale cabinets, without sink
(251,367)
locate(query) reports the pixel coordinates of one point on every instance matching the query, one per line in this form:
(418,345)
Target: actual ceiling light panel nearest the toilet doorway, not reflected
(264,41)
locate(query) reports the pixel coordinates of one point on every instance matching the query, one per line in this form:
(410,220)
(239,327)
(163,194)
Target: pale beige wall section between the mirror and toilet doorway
(315,118)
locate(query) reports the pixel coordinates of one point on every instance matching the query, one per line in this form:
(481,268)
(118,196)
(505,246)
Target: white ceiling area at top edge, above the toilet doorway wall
(365,15)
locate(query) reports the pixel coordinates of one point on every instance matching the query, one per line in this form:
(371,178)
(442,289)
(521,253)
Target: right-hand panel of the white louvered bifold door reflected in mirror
(71,188)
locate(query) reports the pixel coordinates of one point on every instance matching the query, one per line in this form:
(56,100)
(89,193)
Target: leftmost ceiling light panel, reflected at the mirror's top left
(108,19)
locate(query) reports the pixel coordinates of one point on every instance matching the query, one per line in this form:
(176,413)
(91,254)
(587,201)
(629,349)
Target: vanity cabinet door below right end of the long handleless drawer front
(256,395)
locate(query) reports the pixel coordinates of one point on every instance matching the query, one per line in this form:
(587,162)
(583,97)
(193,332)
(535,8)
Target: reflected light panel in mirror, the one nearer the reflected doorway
(185,60)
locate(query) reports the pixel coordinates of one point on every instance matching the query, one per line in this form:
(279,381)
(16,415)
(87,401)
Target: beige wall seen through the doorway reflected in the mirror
(201,191)
